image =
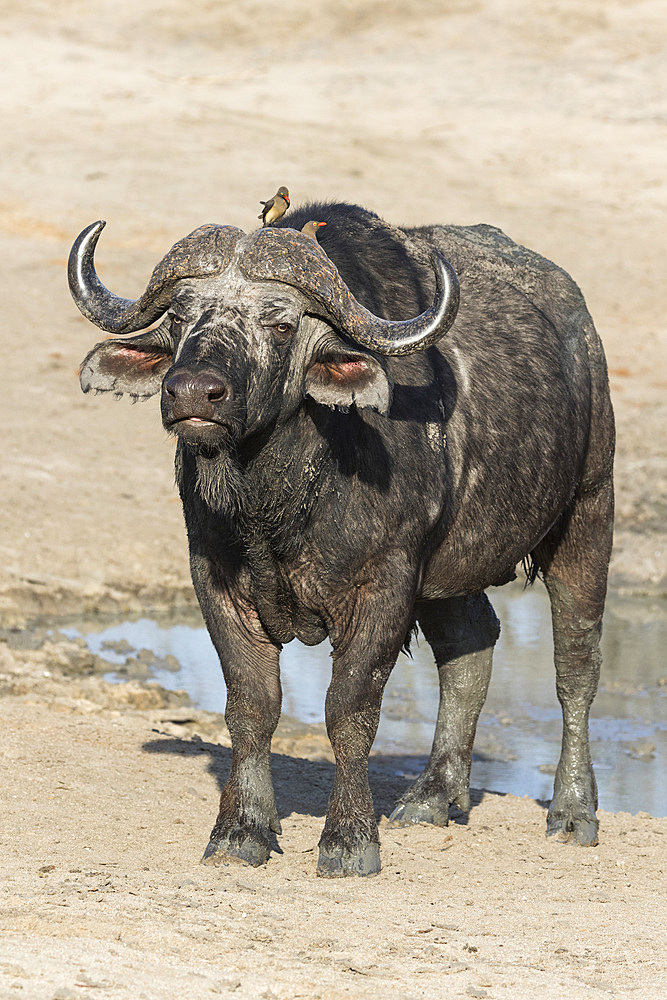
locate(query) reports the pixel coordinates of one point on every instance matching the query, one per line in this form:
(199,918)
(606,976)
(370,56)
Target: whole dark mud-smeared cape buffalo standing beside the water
(359,453)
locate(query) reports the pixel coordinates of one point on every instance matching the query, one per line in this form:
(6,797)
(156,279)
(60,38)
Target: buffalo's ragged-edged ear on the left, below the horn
(135,366)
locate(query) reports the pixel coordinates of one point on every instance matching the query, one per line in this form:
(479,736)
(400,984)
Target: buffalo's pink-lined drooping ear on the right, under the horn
(345,378)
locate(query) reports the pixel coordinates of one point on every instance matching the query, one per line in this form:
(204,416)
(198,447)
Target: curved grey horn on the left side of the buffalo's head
(205,252)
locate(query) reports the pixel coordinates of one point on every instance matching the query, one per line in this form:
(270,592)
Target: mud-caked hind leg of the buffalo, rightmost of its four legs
(574,558)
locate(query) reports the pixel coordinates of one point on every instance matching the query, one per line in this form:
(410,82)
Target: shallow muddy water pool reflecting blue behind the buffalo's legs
(518,737)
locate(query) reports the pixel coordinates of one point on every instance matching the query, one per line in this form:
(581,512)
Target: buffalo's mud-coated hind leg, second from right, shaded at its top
(462,632)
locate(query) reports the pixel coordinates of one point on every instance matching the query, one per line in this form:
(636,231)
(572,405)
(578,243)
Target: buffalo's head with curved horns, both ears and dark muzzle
(249,326)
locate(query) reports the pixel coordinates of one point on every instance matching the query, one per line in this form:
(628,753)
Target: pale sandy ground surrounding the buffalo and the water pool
(547,120)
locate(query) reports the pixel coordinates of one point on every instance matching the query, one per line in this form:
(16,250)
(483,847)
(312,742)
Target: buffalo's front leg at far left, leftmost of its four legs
(250,664)
